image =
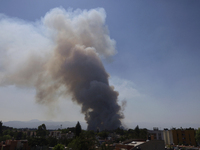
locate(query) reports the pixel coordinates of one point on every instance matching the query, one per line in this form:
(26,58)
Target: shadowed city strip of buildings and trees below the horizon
(75,138)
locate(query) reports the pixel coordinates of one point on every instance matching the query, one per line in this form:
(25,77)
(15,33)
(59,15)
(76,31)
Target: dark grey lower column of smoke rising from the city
(85,77)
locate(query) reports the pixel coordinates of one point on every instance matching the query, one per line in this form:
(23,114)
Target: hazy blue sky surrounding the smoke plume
(155,67)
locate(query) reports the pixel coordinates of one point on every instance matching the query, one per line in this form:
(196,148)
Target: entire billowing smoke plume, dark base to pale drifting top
(61,55)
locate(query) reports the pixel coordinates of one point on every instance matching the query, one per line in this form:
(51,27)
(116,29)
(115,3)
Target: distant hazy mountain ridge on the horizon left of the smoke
(49,124)
